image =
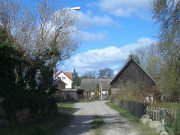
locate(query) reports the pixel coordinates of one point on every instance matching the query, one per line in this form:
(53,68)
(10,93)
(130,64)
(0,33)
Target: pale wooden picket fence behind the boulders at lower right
(161,114)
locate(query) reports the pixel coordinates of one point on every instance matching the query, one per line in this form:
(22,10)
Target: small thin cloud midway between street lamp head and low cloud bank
(90,37)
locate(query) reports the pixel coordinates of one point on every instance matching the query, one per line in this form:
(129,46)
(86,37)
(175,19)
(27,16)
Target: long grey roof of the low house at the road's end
(89,85)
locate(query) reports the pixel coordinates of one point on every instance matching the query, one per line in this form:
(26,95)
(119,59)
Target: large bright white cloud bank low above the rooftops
(112,57)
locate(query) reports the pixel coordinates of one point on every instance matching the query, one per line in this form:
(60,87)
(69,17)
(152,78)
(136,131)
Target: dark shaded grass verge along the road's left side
(48,126)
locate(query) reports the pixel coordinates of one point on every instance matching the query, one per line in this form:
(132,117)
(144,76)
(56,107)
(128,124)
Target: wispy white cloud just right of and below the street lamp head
(87,20)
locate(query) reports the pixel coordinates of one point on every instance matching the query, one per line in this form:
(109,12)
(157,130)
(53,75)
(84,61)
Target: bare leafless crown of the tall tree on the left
(39,31)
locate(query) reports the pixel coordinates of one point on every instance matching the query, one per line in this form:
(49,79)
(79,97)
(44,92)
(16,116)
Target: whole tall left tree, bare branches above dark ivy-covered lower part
(32,42)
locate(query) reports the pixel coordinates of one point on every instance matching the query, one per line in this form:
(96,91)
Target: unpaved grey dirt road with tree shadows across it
(84,113)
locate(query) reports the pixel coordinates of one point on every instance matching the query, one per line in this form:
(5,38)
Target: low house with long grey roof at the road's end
(90,85)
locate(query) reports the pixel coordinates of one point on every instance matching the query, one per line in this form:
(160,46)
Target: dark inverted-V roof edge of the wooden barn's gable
(125,66)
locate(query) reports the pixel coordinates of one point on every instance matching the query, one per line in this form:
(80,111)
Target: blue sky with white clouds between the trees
(109,30)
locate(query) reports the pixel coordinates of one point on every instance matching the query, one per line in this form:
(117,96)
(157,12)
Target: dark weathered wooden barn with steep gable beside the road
(132,74)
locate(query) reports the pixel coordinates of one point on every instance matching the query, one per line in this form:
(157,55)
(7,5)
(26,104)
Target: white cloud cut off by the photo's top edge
(123,8)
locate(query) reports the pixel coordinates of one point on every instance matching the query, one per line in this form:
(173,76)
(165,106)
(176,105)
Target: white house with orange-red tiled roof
(66,77)
